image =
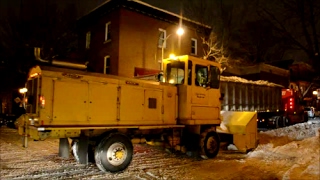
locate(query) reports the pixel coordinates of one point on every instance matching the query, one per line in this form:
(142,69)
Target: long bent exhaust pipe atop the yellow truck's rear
(37,54)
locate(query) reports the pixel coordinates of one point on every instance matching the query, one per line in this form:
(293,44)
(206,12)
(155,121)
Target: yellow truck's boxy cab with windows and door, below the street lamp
(198,82)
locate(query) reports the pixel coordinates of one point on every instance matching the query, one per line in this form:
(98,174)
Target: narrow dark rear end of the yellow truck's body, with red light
(31,95)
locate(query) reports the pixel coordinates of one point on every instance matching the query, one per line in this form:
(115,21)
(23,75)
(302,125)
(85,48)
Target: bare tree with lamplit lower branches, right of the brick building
(226,18)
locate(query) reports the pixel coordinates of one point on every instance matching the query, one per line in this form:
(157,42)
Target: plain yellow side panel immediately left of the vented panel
(131,105)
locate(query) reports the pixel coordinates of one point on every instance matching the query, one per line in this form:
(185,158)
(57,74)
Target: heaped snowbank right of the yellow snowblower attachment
(294,150)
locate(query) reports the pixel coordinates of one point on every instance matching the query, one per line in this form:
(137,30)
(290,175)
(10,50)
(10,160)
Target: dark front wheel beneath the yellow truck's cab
(210,144)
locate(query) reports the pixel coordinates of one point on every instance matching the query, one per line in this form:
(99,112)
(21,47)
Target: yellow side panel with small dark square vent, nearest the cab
(153,114)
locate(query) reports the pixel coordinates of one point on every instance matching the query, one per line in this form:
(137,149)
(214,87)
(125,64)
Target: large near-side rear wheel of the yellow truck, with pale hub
(114,153)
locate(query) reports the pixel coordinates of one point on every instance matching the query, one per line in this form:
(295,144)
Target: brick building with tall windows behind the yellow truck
(121,37)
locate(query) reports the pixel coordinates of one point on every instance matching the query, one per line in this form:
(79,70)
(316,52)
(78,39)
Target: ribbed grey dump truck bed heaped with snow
(244,95)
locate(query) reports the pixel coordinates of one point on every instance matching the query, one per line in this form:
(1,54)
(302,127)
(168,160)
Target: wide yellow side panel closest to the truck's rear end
(70,102)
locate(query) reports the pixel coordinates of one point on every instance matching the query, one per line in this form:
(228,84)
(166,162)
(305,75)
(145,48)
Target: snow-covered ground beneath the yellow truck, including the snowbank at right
(275,158)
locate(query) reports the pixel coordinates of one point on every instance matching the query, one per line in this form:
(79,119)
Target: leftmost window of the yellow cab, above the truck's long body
(175,72)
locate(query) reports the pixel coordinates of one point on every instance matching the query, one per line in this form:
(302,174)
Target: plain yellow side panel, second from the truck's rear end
(103,103)
